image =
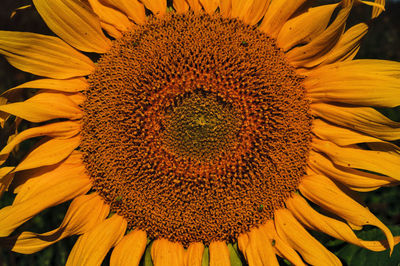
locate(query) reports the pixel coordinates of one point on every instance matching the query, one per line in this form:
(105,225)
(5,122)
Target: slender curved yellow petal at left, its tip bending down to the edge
(60,130)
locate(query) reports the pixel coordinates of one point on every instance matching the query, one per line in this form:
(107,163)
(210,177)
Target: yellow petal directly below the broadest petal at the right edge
(363,119)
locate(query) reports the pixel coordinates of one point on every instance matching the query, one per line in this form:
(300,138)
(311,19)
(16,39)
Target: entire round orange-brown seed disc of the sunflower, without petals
(195,128)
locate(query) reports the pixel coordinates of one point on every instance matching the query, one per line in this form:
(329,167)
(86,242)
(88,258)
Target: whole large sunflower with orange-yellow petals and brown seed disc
(203,126)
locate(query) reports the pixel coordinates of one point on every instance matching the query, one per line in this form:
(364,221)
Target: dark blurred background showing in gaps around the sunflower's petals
(382,42)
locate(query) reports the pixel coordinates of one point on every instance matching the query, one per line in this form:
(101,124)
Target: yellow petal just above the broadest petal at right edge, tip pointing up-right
(348,45)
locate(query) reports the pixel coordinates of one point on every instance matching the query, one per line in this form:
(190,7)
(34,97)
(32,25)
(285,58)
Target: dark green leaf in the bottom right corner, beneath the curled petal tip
(353,255)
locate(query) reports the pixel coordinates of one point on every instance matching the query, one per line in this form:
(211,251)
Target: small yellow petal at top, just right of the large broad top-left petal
(111,16)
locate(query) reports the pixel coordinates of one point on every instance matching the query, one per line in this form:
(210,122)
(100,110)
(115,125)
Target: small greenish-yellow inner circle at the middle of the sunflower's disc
(200,127)
